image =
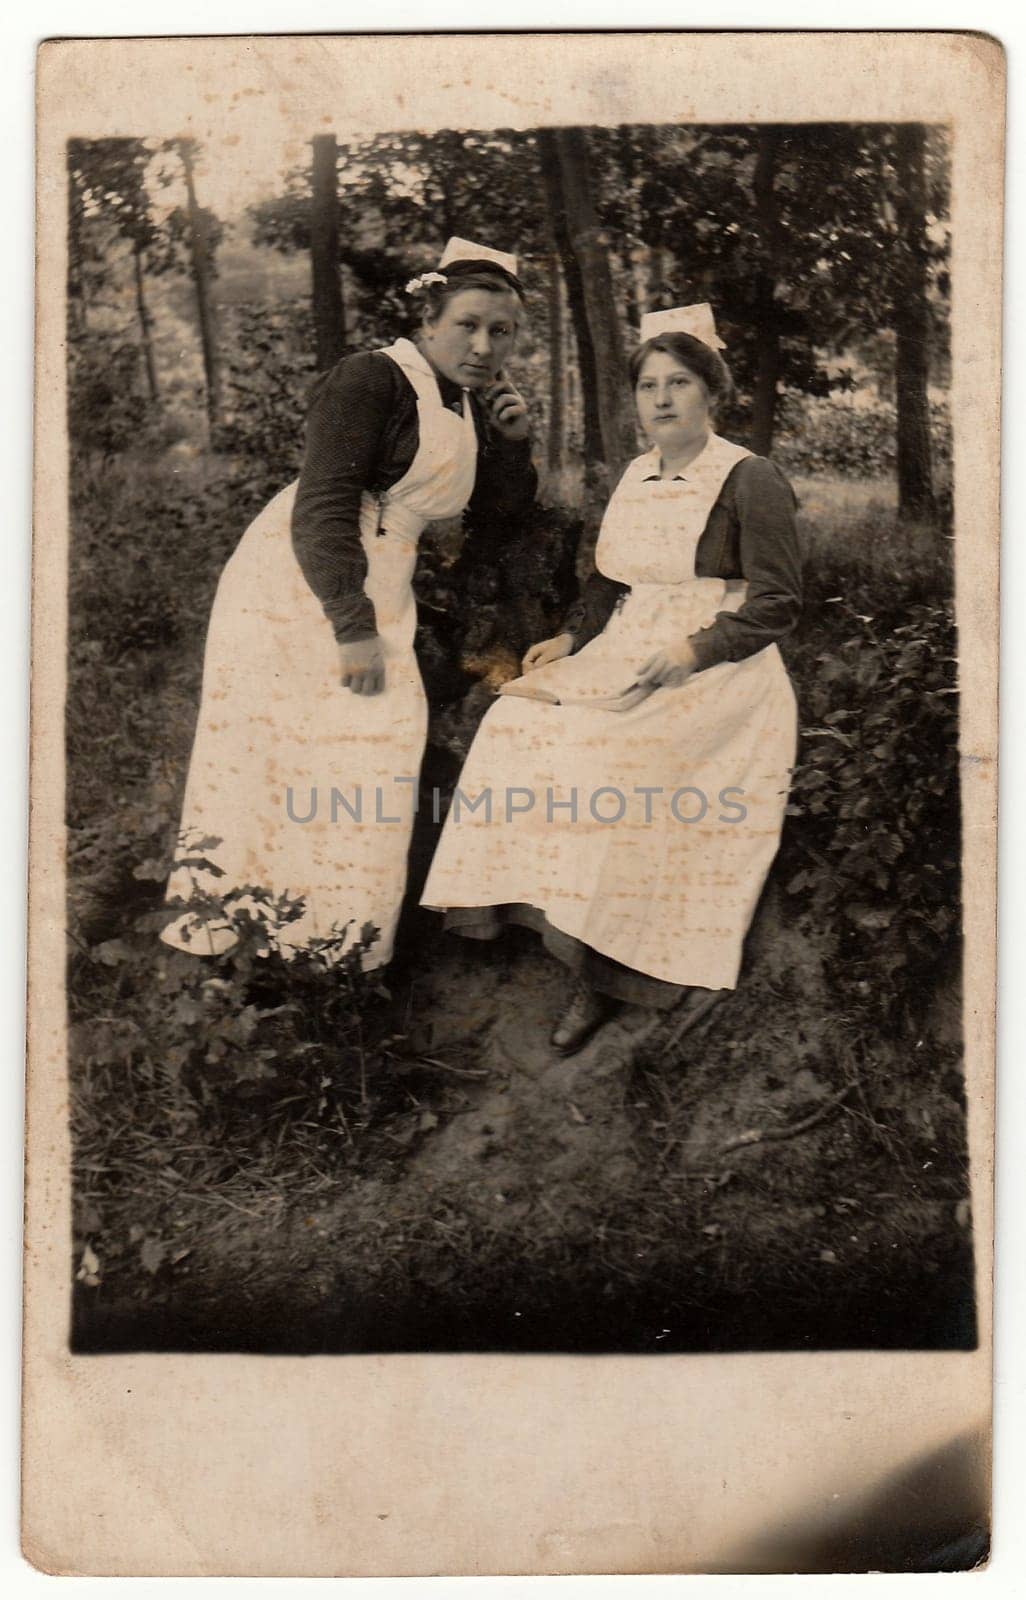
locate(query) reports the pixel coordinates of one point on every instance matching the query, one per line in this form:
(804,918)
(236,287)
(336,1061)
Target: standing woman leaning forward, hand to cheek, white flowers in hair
(315,718)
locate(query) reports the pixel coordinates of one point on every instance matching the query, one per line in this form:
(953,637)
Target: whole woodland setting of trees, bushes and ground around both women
(315,1143)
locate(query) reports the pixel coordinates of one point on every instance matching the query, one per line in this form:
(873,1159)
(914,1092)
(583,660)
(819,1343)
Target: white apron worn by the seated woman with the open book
(663,882)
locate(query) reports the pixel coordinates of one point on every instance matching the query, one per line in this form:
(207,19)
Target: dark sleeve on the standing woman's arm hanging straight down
(348,417)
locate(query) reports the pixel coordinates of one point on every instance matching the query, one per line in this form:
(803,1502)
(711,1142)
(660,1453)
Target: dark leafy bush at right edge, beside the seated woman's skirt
(873,852)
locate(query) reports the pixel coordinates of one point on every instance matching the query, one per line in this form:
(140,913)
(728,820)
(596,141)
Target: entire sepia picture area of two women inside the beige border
(513,743)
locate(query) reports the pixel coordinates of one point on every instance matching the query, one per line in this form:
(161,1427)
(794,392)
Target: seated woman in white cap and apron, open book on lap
(625,798)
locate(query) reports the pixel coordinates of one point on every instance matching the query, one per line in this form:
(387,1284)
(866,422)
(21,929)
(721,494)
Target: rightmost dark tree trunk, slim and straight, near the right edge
(913,332)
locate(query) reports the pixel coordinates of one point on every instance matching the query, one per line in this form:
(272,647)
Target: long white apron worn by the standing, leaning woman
(278,734)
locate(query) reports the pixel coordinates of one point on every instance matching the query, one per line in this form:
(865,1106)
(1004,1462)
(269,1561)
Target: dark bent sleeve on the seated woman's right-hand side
(771,564)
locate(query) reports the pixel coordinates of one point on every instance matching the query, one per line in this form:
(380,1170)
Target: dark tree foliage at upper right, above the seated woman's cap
(832,250)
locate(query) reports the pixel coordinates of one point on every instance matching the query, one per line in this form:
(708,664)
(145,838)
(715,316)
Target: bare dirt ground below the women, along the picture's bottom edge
(748,1186)
